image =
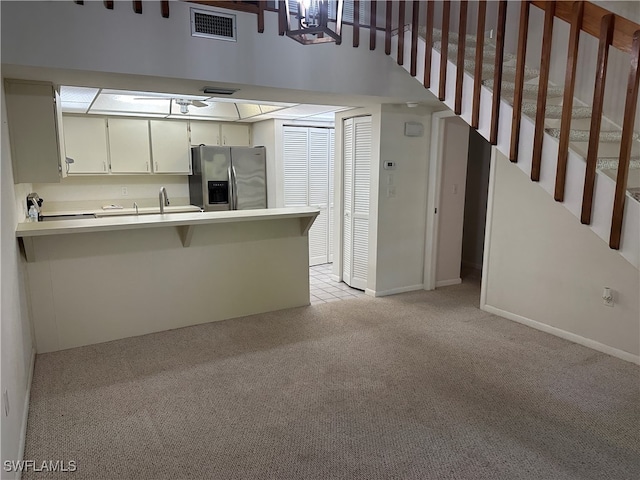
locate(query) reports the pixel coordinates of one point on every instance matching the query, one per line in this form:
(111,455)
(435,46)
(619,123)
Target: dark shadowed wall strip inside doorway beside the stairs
(475,203)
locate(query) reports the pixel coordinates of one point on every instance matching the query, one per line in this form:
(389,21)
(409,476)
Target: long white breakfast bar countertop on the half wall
(130,222)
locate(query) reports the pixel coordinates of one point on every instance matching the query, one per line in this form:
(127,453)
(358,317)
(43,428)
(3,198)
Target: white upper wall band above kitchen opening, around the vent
(91,38)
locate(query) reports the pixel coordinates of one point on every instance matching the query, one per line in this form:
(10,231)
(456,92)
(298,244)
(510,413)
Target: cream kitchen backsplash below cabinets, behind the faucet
(78,193)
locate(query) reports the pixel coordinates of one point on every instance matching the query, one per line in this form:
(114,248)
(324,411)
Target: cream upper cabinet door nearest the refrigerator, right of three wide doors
(170,146)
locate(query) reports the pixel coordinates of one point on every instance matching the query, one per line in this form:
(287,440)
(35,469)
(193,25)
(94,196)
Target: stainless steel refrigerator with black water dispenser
(228,178)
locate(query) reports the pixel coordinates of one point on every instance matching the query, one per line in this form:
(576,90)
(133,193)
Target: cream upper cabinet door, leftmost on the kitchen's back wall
(85,142)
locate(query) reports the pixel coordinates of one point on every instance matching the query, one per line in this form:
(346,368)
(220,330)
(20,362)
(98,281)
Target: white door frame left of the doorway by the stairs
(434,181)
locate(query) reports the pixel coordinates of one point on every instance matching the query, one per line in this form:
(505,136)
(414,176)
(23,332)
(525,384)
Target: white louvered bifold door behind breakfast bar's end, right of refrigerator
(308,163)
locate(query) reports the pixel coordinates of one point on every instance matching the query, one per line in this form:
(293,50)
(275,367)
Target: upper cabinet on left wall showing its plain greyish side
(33,131)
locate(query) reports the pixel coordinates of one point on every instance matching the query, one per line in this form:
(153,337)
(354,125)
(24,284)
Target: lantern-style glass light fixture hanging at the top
(311,21)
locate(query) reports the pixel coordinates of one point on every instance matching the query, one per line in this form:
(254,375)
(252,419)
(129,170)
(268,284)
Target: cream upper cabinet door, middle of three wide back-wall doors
(129,145)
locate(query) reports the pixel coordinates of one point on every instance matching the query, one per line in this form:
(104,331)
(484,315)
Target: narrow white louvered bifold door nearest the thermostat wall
(356,180)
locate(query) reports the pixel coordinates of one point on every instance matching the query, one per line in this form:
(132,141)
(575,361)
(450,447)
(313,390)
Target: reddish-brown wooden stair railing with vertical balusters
(582,16)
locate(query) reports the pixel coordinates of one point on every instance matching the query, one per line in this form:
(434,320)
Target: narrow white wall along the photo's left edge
(17,345)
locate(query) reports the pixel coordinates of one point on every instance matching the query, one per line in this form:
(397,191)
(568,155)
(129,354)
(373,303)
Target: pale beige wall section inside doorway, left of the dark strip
(451,206)
